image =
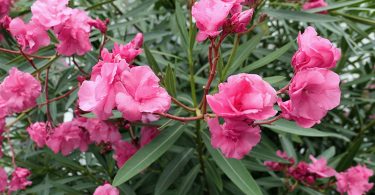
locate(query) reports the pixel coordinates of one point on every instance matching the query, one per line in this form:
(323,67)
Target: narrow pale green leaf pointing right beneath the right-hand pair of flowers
(290,127)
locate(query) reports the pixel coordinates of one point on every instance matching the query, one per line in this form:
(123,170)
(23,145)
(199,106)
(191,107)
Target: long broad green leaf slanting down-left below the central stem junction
(148,154)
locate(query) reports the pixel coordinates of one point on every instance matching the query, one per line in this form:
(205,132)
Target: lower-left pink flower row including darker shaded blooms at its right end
(80,132)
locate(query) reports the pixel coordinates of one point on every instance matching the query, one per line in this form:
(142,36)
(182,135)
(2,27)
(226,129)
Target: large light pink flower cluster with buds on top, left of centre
(134,90)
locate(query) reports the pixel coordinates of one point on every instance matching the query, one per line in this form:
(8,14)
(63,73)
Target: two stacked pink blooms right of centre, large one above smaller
(243,99)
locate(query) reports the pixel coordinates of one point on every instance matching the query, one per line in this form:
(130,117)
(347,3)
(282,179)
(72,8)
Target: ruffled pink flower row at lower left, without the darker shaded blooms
(72,135)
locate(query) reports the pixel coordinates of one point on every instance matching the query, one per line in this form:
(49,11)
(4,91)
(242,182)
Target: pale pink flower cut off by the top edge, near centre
(210,16)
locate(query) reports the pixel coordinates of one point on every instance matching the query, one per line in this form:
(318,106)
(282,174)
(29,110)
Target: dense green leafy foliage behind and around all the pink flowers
(345,137)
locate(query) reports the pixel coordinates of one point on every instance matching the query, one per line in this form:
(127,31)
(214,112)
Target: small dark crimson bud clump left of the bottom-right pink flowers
(302,173)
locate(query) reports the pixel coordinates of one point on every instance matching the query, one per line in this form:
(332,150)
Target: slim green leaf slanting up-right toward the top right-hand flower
(267,59)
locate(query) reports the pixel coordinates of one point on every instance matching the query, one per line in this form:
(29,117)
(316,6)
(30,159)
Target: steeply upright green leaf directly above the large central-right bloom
(243,53)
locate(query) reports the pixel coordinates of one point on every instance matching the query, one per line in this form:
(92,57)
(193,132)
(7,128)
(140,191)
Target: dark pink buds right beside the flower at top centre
(238,22)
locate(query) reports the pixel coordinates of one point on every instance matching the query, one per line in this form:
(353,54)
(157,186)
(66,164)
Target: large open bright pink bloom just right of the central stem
(244,95)
